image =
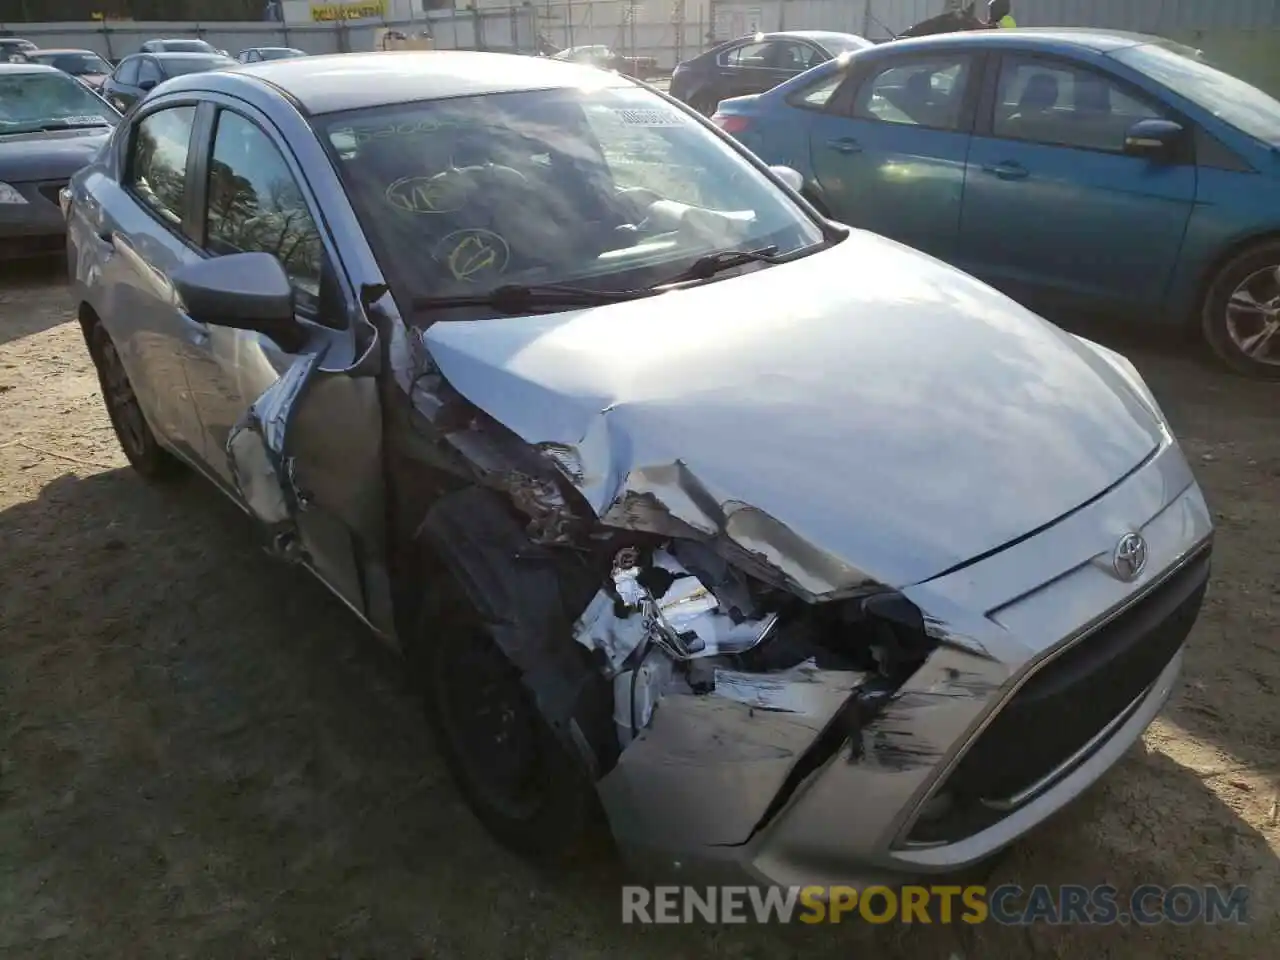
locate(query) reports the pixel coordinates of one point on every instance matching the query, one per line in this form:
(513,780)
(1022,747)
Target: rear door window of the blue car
(921,94)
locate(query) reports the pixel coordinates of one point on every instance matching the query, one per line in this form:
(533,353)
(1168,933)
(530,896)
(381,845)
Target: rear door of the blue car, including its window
(889,153)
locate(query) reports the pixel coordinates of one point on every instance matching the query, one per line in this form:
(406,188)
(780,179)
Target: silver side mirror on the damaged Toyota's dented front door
(243,291)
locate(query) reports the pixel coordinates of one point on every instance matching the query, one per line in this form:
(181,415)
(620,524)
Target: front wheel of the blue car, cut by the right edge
(1241,316)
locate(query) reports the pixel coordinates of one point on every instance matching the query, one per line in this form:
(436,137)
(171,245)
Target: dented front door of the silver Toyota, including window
(308,413)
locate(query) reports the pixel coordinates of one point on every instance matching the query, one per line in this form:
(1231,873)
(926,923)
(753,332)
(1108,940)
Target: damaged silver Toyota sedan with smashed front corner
(792,551)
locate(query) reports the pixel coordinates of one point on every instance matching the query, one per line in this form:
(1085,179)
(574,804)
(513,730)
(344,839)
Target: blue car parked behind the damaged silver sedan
(1081,170)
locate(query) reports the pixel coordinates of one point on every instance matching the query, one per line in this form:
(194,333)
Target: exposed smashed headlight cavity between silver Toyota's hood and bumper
(678,619)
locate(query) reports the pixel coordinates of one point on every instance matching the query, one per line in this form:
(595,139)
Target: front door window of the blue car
(1057,103)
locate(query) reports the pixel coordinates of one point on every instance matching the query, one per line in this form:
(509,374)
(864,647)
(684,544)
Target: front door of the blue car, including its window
(1054,211)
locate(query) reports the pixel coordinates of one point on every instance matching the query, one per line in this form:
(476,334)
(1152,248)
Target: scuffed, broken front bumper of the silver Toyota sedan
(939,783)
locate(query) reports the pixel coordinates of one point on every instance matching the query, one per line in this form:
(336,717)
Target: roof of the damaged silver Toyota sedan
(336,83)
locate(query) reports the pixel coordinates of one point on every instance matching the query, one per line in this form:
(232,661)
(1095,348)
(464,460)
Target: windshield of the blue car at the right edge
(1186,72)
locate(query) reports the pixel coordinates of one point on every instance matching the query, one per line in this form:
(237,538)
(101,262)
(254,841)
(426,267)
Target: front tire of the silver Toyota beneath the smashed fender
(511,770)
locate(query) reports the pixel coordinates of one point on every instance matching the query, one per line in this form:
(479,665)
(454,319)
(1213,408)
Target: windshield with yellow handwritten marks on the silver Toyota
(606,188)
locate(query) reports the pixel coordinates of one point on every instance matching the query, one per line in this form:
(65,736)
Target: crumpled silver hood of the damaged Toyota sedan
(867,405)
